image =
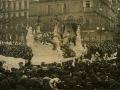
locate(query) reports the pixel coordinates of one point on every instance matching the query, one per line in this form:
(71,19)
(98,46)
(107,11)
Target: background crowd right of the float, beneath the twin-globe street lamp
(108,47)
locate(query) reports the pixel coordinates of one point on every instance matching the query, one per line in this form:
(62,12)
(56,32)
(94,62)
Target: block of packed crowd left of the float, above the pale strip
(16,51)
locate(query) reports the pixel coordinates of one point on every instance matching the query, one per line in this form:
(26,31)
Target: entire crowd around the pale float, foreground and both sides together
(101,70)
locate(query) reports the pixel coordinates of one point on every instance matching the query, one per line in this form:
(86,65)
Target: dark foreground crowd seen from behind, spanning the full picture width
(71,75)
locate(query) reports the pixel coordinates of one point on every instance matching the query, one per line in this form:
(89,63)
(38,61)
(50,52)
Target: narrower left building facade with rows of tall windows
(13,15)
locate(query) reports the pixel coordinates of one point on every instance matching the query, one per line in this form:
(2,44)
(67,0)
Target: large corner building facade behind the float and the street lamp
(100,17)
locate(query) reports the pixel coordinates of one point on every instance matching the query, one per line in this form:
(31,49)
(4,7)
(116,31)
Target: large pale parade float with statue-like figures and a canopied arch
(64,45)
